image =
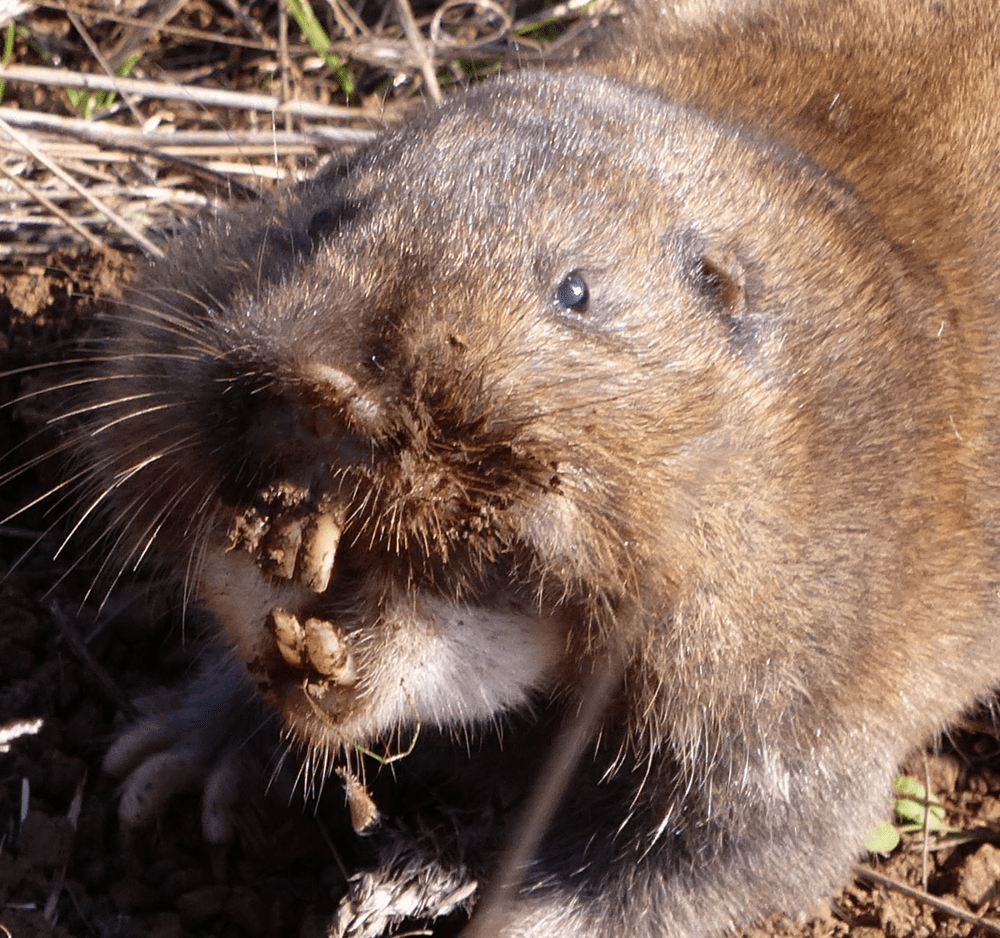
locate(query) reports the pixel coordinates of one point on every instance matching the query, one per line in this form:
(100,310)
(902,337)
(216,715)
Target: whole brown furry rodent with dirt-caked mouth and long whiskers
(682,362)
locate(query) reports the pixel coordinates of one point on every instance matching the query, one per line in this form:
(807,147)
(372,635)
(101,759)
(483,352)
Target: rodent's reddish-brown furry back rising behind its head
(896,99)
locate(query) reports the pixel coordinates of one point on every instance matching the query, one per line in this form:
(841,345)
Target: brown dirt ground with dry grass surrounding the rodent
(73,656)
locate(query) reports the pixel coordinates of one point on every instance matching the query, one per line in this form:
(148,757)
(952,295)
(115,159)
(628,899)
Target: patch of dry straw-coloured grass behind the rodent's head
(146,117)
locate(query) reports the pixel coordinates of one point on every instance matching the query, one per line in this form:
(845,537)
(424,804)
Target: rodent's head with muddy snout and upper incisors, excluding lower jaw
(526,352)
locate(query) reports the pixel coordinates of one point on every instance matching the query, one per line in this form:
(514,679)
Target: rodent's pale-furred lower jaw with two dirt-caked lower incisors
(412,658)
